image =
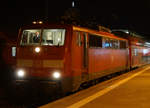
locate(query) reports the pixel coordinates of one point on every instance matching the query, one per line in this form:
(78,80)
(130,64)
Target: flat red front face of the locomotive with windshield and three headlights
(40,58)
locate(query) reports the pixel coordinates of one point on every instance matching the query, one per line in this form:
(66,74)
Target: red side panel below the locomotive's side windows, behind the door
(104,59)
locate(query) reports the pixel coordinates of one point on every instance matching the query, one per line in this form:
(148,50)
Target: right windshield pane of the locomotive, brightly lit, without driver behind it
(53,37)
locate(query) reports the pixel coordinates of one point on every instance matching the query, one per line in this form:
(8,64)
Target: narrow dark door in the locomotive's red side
(85,75)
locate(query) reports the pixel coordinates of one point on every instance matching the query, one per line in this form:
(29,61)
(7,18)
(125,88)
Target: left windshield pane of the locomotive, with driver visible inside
(30,37)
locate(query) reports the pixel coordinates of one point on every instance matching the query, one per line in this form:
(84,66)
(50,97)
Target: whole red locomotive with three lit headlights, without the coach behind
(67,56)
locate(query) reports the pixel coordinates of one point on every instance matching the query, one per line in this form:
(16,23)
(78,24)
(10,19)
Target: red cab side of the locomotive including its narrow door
(79,58)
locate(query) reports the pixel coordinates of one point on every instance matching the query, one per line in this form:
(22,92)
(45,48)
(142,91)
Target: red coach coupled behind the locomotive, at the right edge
(138,47)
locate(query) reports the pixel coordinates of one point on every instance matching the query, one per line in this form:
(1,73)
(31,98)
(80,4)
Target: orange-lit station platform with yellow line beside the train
(129,90)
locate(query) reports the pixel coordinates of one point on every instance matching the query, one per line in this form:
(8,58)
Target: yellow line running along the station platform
(104,91)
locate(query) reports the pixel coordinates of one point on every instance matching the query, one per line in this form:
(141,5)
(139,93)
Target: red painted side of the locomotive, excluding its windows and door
(99,59)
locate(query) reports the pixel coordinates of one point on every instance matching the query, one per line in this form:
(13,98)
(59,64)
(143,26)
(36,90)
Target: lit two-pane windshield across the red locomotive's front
(51,37)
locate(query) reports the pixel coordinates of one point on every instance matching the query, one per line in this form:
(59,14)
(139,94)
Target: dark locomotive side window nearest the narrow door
(95,41)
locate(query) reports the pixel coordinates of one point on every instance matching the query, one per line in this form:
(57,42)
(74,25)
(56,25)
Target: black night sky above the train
(114,14)
